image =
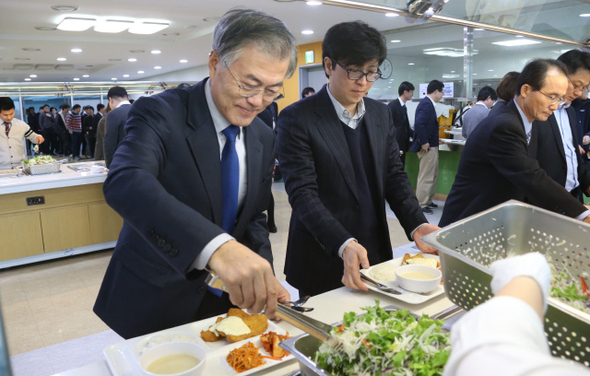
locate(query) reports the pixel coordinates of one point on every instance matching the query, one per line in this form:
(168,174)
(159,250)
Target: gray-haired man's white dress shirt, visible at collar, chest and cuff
(220,124)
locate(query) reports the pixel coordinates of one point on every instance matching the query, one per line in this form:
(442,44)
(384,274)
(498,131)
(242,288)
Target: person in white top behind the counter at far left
(12,131)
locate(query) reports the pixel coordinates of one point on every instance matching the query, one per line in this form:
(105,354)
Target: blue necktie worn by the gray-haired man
(230,178)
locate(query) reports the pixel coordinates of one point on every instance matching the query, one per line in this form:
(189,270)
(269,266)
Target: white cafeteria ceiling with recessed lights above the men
(25,50)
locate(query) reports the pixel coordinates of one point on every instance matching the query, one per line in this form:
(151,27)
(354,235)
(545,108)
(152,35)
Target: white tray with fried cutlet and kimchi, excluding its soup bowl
(260,351)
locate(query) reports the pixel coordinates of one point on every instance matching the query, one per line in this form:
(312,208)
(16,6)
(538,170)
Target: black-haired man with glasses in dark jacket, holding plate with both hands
(341,165)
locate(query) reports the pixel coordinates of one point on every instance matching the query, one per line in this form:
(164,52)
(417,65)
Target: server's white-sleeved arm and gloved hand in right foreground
(505,335)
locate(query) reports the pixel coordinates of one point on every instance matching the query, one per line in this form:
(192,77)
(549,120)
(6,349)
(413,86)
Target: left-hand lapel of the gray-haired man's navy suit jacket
(204,146)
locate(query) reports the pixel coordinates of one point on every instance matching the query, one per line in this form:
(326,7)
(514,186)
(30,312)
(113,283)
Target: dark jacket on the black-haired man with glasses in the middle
(319,178)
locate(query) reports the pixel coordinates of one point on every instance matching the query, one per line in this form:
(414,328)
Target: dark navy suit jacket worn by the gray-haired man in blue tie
(165,181)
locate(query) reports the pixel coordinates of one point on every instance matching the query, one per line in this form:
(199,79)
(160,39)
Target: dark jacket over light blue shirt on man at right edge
(550,153)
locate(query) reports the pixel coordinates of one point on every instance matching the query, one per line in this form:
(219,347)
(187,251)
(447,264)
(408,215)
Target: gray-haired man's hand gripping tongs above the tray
(247,277)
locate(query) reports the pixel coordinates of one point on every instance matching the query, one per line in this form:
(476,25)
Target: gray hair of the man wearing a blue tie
(239,28)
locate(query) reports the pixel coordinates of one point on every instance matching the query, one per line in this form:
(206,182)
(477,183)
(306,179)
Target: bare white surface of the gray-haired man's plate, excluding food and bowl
(123,358)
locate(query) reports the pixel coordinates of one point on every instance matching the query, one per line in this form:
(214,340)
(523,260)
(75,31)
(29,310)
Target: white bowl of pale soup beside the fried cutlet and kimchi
(173,359)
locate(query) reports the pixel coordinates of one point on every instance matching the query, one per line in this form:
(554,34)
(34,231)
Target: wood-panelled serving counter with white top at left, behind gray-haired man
(55,215)
